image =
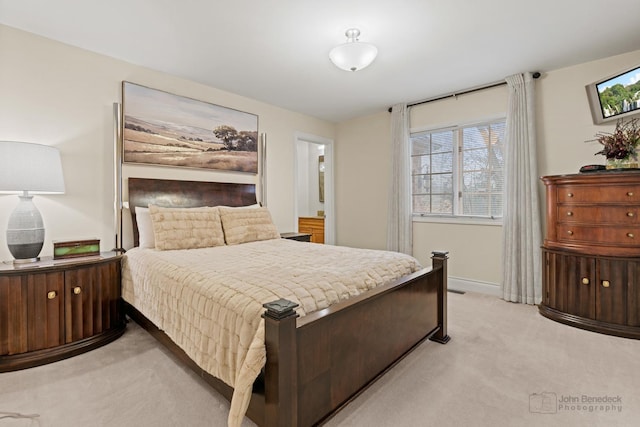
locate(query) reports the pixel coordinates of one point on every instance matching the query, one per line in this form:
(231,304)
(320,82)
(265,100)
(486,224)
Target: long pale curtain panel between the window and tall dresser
(521,232)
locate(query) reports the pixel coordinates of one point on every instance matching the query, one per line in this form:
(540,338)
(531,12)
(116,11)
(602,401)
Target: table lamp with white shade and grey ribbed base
(28,168)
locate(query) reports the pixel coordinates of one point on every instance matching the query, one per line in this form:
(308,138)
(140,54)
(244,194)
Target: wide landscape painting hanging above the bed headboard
(161,128)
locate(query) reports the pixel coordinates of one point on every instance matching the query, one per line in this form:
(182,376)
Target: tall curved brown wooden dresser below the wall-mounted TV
(591,252)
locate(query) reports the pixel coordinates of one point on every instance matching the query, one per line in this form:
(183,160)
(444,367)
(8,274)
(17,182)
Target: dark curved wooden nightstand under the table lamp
(54,309)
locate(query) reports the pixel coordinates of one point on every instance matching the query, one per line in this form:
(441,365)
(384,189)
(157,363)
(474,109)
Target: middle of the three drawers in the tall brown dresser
(598,214)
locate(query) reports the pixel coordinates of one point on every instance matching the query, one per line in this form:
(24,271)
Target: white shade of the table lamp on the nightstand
(29,167)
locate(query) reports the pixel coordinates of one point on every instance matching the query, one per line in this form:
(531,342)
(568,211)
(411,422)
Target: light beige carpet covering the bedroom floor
(505,366)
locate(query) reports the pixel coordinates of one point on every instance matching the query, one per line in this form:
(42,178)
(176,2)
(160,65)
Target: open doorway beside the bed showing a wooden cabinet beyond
(314,195)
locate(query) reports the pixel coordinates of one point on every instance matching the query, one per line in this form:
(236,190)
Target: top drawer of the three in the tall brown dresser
(618,193)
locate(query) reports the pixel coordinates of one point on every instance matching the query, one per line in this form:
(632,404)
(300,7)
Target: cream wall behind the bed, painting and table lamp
(55,94)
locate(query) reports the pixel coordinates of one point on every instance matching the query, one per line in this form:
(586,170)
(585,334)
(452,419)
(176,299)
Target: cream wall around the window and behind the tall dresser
(363,164)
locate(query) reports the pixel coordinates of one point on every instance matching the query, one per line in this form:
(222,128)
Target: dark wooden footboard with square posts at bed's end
(319,363)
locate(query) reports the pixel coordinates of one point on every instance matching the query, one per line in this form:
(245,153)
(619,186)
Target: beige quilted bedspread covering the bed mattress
(209,300)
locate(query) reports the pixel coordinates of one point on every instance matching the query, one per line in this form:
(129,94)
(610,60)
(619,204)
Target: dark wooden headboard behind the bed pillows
(185,194)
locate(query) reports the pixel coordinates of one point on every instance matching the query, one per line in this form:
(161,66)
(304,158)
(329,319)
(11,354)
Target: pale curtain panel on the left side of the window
(399,229)
